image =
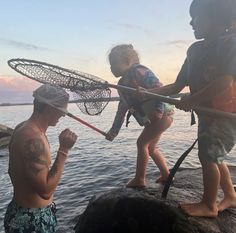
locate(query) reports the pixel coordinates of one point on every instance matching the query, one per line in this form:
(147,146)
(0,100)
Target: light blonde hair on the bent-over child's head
(124,51)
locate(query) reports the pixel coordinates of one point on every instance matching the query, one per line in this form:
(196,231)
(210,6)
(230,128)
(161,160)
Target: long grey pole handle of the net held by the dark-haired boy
(169,100)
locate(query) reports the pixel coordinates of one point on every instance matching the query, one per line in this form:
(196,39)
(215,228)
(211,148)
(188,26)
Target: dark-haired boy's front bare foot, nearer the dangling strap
(199,210)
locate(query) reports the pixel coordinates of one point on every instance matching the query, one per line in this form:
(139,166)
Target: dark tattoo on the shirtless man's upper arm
(34,155)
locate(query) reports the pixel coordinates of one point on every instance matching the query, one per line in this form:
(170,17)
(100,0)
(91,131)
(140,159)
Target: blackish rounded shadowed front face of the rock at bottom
(122,211)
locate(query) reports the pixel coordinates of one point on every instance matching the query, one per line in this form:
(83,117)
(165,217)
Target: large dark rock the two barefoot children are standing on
(143,210)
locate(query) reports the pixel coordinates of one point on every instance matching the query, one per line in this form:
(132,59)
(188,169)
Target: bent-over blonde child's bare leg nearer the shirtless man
(142,160)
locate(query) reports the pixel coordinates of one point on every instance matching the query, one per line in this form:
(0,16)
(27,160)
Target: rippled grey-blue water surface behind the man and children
(96,165)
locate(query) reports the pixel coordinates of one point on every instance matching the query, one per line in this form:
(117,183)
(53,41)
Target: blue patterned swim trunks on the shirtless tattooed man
(30,220)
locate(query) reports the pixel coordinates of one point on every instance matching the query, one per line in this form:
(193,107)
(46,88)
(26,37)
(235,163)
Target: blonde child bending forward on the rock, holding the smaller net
(155,116)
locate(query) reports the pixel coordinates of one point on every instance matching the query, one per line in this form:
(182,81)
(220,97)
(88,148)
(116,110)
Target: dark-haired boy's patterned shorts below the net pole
(216,137)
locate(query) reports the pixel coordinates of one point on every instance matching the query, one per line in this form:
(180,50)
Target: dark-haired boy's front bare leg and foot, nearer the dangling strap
(211,179)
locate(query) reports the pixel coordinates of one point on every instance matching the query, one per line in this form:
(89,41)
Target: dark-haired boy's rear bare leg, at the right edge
(229,200)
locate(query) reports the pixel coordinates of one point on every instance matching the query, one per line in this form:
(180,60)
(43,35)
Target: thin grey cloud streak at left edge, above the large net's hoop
(21,45)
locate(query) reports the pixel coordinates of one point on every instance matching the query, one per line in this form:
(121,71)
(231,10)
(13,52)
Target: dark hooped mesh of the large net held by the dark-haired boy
(90,93)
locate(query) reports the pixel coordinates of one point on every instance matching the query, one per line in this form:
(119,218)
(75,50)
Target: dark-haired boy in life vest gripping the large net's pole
(210,72)
